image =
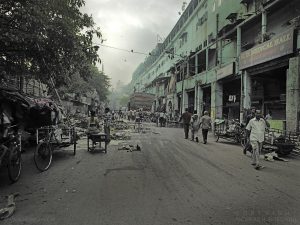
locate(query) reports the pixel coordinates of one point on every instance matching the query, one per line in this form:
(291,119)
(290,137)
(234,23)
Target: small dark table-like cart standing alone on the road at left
(95,140)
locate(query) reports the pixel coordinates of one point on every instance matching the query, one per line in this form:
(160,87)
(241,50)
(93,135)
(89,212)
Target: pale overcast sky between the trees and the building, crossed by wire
(131,24)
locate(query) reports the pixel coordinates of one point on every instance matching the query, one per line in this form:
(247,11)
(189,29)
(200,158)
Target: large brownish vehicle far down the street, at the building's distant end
(140,100)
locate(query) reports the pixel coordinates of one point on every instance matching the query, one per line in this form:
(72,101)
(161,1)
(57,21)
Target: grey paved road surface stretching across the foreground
(171,181)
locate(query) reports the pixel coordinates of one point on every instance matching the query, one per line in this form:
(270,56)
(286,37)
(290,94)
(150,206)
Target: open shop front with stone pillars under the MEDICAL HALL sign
(268,74)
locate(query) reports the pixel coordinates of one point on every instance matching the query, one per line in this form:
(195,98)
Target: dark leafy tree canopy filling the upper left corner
(43,38)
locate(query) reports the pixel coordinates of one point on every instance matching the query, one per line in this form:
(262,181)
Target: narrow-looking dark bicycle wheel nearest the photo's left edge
(14,164)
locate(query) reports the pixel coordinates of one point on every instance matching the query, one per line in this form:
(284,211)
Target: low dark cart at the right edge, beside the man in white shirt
(282,142)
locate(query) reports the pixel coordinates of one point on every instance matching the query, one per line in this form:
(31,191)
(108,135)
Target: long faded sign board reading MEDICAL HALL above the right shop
(280,45)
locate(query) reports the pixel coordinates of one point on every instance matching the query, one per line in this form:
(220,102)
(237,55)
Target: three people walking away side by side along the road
(196,122)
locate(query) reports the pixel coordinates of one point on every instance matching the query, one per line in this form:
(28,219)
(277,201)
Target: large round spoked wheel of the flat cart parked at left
(43,156)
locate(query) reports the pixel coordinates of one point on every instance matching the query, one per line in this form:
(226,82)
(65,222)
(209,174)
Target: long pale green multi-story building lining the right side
(225,56)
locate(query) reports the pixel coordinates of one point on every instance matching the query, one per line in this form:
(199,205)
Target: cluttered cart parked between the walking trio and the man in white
(231,130)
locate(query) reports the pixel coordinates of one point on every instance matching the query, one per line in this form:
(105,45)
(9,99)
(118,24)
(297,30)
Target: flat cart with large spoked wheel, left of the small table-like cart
(49,139)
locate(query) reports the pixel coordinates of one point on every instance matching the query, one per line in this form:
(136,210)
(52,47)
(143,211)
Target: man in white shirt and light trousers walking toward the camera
(257,127)
